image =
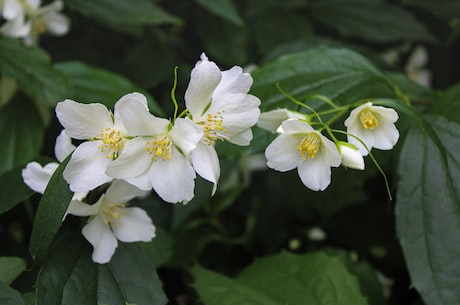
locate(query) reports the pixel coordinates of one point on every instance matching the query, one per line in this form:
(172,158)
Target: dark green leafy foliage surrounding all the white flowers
(253,242)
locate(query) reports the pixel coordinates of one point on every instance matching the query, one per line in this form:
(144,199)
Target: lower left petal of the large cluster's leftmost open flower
(86,168)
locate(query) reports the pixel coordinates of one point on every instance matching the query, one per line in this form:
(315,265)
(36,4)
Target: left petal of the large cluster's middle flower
(133,162)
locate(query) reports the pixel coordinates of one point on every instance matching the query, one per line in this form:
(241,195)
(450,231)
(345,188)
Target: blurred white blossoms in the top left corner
(27,19)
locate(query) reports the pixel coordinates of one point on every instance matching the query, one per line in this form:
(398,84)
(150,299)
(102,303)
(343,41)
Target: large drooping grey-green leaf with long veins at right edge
(427,210)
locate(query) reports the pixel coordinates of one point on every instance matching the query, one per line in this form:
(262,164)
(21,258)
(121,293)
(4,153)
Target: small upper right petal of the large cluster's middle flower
(185,135)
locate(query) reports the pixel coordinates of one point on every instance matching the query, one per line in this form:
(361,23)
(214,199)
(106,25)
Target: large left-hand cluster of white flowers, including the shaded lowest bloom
(137,151)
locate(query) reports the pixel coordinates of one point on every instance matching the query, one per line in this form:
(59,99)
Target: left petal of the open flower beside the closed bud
(282,154)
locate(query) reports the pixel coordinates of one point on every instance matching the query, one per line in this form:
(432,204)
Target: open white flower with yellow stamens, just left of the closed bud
(305,148)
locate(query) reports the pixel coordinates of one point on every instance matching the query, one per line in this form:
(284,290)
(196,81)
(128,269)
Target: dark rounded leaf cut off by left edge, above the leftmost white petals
(21,131)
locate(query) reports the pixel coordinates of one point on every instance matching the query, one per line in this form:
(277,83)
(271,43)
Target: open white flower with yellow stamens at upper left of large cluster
(105,133)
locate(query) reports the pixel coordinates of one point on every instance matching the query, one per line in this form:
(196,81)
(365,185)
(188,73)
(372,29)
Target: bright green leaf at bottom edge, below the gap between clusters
(282,279)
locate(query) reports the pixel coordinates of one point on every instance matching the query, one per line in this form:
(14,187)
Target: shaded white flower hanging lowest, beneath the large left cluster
(113,221)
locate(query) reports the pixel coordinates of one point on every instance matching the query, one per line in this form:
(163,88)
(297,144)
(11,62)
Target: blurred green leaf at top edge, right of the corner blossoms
(123,14)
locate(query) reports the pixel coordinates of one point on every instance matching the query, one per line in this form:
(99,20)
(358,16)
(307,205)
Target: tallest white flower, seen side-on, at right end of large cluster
(219,104)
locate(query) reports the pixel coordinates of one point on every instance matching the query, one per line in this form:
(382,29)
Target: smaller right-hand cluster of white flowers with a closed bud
(300,146)
